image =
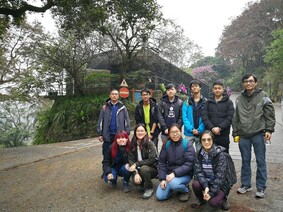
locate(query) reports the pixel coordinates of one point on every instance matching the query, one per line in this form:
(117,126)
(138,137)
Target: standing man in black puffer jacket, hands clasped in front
(217,114)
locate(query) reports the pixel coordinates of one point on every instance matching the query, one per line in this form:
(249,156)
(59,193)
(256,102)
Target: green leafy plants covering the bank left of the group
(69,119)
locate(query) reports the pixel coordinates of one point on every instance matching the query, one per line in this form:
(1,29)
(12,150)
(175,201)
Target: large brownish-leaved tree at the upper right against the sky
(243,42)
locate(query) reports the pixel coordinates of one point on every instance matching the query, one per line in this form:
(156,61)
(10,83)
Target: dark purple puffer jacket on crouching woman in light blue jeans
(176,160)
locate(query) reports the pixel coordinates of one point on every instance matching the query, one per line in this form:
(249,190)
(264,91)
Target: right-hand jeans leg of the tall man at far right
(260,149)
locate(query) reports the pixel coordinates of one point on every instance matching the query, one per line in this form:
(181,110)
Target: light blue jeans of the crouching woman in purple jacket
(177,184)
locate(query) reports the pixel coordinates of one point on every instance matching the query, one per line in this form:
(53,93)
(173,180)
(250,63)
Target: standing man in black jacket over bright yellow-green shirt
(146,113)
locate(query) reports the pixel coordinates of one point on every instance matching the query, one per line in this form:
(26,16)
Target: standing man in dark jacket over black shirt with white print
(169,110)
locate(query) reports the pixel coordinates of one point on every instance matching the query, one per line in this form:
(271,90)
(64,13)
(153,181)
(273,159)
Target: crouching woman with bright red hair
(115,160)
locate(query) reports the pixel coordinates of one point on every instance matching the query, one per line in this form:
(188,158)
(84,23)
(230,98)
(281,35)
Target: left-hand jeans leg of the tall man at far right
(246,173)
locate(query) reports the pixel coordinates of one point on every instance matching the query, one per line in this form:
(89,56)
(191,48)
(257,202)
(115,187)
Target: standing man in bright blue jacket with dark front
(191,113)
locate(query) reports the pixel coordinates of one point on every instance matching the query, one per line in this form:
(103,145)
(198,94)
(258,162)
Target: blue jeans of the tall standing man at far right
(245,146)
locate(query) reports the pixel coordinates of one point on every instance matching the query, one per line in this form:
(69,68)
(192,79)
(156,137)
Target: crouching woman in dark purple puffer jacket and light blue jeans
(175,166)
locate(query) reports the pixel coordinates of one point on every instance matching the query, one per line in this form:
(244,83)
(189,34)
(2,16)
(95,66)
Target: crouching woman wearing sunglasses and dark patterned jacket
(211,184)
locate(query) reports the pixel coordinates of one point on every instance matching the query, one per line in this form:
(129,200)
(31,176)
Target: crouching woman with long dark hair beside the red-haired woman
(143,160)
